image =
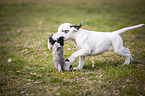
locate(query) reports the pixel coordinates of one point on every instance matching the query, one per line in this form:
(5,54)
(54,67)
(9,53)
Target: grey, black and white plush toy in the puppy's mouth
(58,58)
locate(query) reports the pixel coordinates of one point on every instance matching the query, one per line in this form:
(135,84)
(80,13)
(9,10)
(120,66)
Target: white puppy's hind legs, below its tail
(124,52)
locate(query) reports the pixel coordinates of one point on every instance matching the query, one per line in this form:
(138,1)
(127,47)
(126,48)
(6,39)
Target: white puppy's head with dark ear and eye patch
(66,30)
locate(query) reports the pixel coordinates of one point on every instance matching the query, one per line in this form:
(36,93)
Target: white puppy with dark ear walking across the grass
(89,43)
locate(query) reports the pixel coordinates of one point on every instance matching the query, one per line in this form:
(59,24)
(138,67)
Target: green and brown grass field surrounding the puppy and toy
(26,64)
